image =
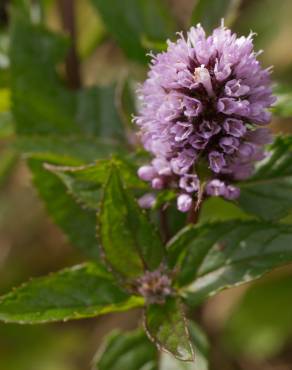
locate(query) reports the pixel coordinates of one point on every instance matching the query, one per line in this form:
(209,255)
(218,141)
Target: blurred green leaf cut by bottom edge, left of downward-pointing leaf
(131,351)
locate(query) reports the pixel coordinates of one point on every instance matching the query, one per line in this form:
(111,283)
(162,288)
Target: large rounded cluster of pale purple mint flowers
(204,104)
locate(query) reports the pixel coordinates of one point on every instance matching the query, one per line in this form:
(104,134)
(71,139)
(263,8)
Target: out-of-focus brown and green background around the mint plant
(250,327)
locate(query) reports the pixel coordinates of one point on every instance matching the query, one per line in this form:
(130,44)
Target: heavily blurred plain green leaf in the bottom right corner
(253,328)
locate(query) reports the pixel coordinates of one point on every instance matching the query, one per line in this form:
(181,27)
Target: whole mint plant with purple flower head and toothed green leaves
(137,218)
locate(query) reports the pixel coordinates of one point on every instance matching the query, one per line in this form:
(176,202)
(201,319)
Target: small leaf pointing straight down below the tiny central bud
(166,326)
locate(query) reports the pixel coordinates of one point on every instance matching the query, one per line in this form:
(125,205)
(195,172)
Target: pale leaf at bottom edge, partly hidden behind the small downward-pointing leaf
(201,348)
